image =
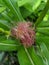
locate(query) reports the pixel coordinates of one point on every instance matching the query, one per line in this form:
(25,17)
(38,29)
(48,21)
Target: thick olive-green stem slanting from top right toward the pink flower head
(43,13)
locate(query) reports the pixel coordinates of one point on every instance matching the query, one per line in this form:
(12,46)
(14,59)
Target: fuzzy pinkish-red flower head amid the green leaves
(25,32)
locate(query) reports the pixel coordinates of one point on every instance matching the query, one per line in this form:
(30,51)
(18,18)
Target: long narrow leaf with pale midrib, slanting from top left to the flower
(12,5)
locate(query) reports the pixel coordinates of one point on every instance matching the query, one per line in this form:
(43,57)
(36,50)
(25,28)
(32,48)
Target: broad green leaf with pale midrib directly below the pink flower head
(29,57)
